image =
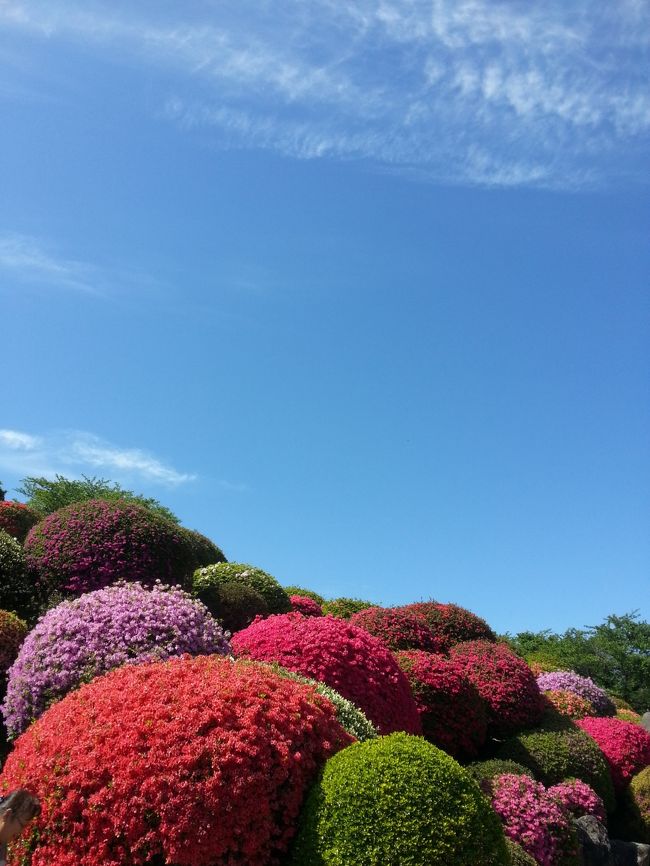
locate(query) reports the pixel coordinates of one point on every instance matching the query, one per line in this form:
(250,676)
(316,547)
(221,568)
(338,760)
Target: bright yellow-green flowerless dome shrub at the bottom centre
(400,800)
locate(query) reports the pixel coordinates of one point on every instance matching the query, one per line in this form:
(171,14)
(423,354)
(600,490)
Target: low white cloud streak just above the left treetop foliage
(77,452)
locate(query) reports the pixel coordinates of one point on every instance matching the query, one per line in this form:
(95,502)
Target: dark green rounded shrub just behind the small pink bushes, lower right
(554,756)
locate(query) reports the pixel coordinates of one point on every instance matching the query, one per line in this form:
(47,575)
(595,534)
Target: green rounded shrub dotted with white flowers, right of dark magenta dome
(208,581)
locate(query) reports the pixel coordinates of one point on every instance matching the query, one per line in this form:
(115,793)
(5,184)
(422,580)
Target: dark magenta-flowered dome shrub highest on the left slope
(89,545)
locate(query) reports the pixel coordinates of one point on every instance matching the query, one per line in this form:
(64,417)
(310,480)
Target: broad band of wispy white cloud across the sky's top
(470,91)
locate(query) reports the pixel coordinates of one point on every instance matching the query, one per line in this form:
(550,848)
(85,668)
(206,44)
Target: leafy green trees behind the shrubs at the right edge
(615,654)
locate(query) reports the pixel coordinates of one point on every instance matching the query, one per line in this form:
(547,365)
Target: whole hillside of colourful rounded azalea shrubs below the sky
(171,708)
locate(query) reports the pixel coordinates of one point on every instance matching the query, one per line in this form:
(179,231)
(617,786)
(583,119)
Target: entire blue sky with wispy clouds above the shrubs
(360,290)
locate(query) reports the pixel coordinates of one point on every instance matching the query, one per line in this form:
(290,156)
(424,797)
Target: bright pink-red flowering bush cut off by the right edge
(626,746)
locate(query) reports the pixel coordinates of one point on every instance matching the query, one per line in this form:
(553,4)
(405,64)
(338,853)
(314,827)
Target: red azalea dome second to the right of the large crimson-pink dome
(504,681)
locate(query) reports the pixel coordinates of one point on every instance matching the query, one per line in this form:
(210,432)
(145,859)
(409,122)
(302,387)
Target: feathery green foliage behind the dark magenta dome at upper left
(45,496)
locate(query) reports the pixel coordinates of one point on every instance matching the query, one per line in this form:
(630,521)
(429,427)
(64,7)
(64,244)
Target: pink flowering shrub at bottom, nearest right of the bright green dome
(533,818)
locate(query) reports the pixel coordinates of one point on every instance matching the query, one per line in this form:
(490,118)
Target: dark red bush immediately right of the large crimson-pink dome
(452,713)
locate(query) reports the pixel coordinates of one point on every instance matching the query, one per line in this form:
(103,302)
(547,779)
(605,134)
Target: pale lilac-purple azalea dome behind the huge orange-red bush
(78,640)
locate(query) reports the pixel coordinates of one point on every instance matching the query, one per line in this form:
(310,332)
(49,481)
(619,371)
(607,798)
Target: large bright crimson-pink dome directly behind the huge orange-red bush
(341,655)
